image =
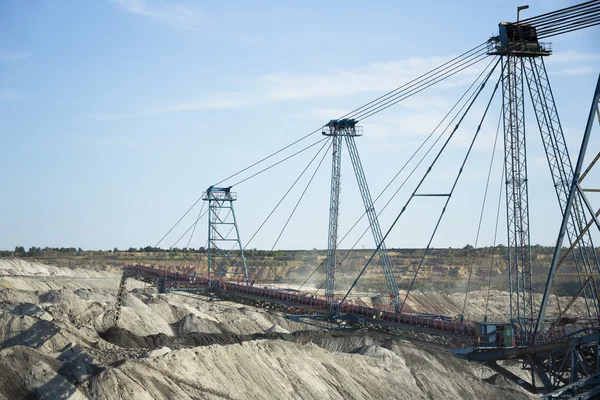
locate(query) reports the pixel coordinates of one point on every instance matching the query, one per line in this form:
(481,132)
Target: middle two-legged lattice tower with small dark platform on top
(346,130)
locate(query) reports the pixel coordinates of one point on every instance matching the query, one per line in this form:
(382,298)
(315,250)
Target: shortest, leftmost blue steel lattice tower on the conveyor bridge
(224,243)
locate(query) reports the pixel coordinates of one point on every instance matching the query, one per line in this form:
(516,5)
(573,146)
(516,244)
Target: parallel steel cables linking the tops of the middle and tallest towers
(474,52)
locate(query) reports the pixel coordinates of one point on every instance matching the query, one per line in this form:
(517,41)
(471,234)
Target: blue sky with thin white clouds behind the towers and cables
(116,115)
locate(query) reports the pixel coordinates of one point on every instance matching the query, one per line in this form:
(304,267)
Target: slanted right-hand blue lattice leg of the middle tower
(384,258)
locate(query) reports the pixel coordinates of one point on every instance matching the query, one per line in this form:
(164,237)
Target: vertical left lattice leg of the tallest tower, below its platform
(517,199)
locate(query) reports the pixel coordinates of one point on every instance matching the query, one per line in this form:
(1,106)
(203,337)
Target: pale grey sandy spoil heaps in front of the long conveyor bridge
(56,344)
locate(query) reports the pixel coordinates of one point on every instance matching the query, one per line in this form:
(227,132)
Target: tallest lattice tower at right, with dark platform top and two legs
(522,56)
